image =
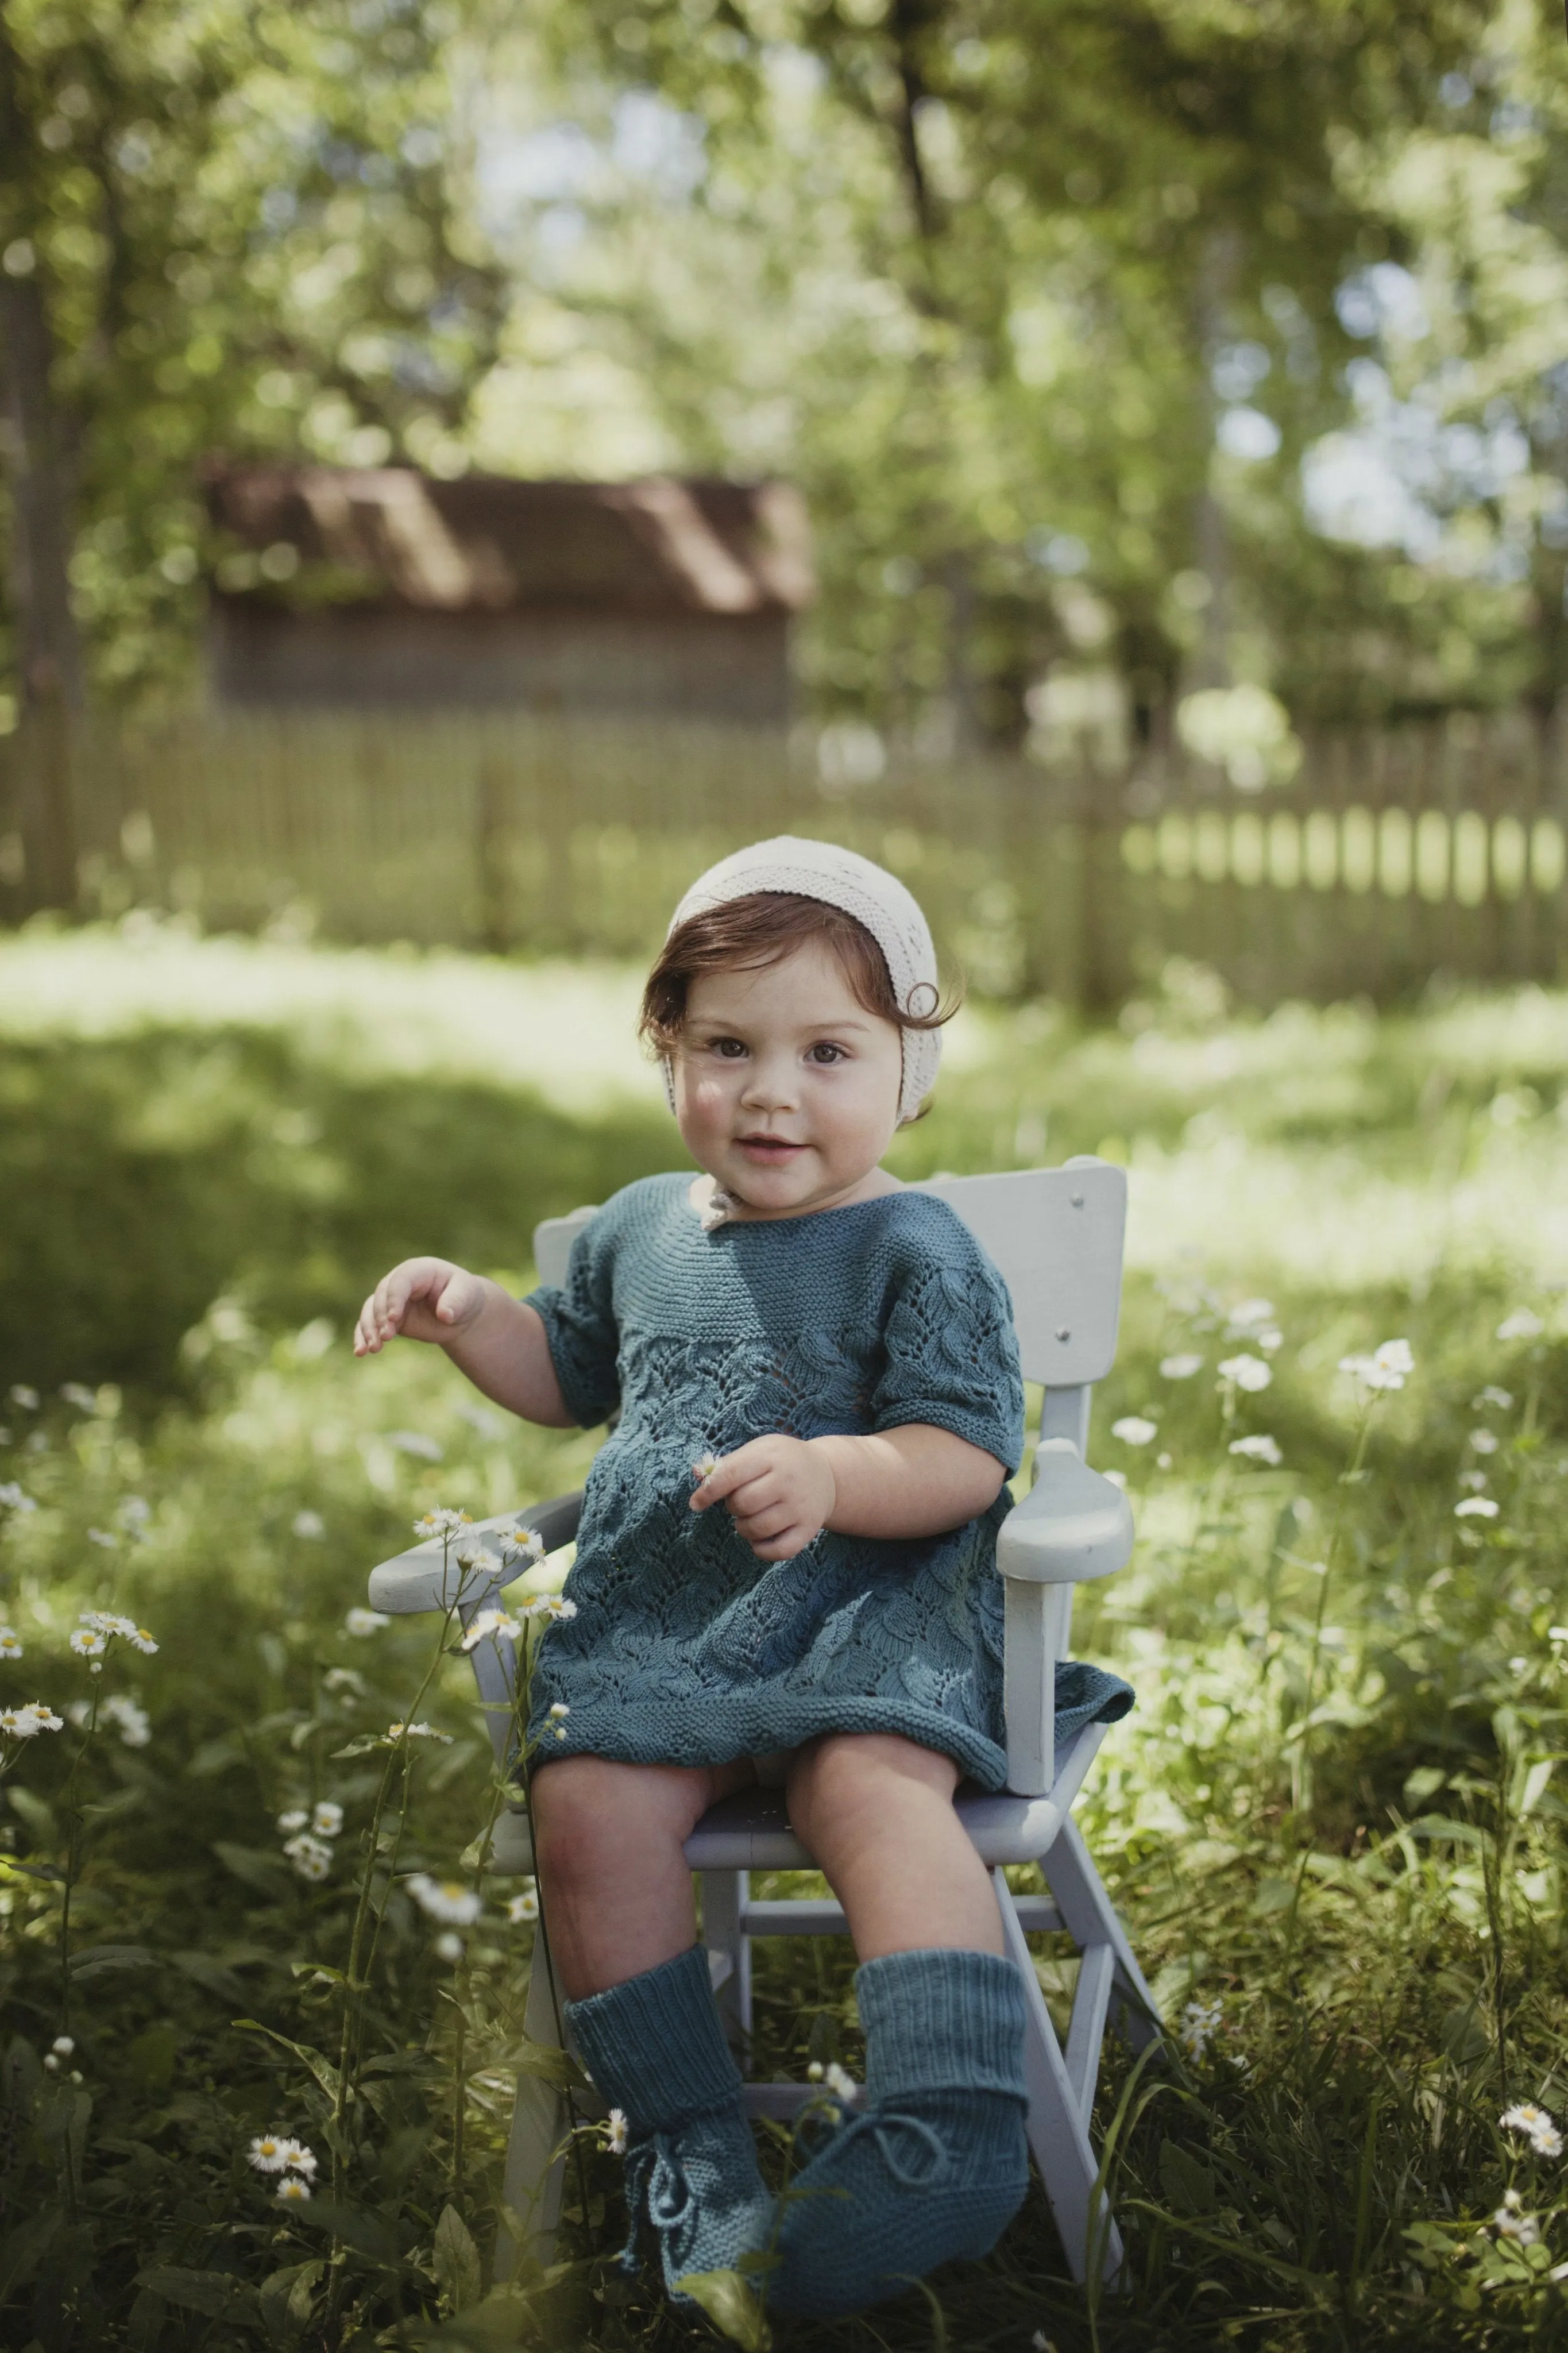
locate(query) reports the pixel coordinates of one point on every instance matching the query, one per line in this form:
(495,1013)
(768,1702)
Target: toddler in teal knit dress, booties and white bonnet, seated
(833,1361)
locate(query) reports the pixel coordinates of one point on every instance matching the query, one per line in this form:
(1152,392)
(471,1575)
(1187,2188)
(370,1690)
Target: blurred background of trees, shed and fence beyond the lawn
(464,465)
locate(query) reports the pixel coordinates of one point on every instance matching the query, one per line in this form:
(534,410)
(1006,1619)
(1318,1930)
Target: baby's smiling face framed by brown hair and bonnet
(786,1088)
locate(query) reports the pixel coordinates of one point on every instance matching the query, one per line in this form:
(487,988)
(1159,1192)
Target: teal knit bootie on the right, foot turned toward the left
(937,2164)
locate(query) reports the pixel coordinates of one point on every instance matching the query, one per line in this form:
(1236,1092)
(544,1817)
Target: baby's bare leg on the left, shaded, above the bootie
(608,1846)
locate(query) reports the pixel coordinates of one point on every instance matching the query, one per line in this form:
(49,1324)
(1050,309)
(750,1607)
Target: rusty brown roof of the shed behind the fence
(492,545)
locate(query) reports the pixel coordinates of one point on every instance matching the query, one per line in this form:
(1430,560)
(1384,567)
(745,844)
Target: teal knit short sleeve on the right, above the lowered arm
(951,1349)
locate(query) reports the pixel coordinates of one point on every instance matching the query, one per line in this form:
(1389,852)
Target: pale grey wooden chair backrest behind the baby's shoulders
(1052,1234)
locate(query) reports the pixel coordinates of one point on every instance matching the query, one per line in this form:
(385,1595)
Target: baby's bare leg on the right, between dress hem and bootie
(878,1815)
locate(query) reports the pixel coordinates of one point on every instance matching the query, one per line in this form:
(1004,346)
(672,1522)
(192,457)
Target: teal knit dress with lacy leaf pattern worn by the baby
(690,1651)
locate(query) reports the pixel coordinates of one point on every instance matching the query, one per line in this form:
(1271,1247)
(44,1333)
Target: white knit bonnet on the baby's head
(873,898)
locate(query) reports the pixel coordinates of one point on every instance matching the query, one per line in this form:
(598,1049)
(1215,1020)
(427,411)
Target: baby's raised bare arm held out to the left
(497,1340)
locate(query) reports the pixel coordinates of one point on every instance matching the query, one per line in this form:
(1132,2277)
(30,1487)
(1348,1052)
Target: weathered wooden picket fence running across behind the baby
(1391,858)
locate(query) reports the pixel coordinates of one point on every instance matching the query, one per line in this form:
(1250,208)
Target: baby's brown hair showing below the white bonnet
(746,935)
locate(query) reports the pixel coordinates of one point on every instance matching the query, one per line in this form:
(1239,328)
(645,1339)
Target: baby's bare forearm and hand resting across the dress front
(913,1481)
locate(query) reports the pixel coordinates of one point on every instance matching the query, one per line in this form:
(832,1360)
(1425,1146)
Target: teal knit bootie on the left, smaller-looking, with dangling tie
(657,2051)
